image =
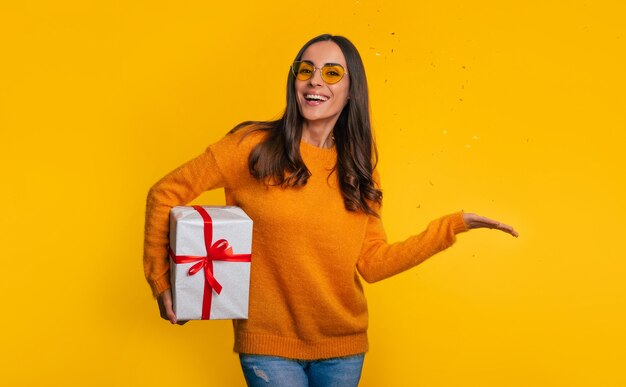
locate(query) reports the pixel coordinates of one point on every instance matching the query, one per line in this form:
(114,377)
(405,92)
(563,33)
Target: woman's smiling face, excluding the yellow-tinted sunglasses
(319,102)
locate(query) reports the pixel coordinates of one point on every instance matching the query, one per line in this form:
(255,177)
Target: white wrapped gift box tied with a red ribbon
(210,286)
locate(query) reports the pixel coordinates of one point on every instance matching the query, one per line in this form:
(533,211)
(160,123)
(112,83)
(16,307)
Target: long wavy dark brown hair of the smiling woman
(277,159)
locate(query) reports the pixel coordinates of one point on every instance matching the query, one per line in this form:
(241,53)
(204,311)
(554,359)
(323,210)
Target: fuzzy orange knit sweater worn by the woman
(306,298)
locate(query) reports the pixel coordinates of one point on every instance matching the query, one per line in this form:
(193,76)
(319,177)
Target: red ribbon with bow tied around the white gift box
(218,251)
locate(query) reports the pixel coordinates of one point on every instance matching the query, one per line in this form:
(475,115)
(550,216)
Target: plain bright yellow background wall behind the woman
(514,110)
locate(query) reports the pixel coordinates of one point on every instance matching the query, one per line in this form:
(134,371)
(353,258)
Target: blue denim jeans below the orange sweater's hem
(275,371)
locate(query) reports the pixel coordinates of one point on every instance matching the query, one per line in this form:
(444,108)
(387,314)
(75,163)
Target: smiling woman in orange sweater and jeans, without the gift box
(309,183)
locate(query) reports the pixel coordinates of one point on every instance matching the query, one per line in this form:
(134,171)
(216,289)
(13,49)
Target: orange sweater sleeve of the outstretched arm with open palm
(379,259)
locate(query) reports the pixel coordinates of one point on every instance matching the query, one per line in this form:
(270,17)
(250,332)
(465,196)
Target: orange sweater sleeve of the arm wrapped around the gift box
(220,165)
